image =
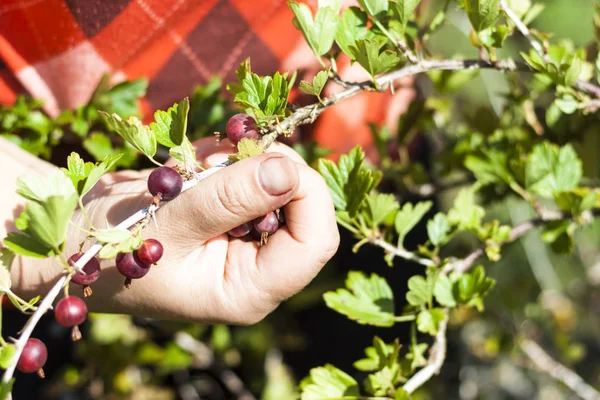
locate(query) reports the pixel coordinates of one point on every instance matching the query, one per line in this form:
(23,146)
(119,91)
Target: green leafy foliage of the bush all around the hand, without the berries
(527,154)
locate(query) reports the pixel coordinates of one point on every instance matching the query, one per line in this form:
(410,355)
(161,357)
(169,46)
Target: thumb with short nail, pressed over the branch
(237,194)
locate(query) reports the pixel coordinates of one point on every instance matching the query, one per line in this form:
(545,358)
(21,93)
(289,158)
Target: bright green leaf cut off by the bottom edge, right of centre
(328,383)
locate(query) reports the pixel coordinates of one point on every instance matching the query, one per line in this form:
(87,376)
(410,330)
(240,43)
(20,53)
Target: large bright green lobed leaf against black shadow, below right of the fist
(368,300)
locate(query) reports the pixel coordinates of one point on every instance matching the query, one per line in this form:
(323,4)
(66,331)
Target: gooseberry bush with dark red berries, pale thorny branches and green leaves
(524,155)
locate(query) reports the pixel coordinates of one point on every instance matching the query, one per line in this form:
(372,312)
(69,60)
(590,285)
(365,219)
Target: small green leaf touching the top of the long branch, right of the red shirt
(370,55)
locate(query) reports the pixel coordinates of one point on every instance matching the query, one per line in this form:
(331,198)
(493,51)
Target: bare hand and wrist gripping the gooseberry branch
(204,275)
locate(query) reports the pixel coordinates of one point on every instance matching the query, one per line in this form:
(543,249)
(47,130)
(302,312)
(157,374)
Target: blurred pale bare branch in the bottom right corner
(547,364)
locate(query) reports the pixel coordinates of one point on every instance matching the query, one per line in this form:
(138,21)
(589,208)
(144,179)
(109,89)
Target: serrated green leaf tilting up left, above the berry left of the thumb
(133,131)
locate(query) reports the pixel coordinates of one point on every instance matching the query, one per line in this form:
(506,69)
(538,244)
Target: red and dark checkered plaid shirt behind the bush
(57,50)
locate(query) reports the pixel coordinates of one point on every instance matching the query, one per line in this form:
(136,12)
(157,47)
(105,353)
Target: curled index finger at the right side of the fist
(295,254)
